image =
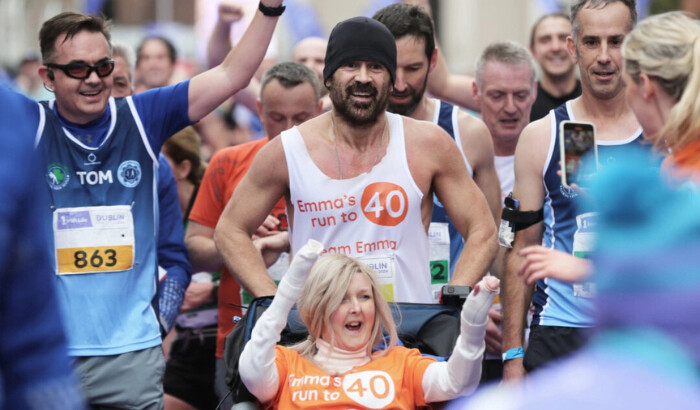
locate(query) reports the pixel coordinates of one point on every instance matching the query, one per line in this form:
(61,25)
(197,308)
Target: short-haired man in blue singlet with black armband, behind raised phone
(563,310)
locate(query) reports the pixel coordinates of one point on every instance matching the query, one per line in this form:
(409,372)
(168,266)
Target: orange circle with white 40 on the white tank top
(385,203)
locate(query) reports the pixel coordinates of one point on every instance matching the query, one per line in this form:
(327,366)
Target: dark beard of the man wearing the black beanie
(359,114)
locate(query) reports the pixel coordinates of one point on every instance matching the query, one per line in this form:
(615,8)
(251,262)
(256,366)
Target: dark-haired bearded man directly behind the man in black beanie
(416,58)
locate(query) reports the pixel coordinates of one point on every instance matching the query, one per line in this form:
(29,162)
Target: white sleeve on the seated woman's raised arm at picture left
(257,361)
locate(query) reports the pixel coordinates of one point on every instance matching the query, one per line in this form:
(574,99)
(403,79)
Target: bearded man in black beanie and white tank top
(360,181)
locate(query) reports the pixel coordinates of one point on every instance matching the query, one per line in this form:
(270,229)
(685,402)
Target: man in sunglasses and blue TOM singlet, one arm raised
(99,162)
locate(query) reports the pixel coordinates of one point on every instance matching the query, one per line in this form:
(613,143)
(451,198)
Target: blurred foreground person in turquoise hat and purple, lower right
(645,350)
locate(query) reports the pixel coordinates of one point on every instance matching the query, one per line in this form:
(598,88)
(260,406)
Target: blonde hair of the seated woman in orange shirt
(323,292)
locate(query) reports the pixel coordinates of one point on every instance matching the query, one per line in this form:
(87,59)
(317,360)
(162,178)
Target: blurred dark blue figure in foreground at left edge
(35,371)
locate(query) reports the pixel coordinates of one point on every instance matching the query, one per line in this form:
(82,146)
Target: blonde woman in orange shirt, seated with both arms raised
(339,365)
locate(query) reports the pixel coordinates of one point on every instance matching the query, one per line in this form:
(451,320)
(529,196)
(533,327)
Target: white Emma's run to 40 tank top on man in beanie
(375,216)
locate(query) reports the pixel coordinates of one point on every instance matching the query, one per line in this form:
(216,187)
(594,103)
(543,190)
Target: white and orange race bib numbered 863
(93,239)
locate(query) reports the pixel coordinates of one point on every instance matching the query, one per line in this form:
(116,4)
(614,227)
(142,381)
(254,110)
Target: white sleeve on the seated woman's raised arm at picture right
(461,373)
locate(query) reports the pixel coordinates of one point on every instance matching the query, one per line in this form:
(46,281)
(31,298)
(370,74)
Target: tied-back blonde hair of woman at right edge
(666,48)
